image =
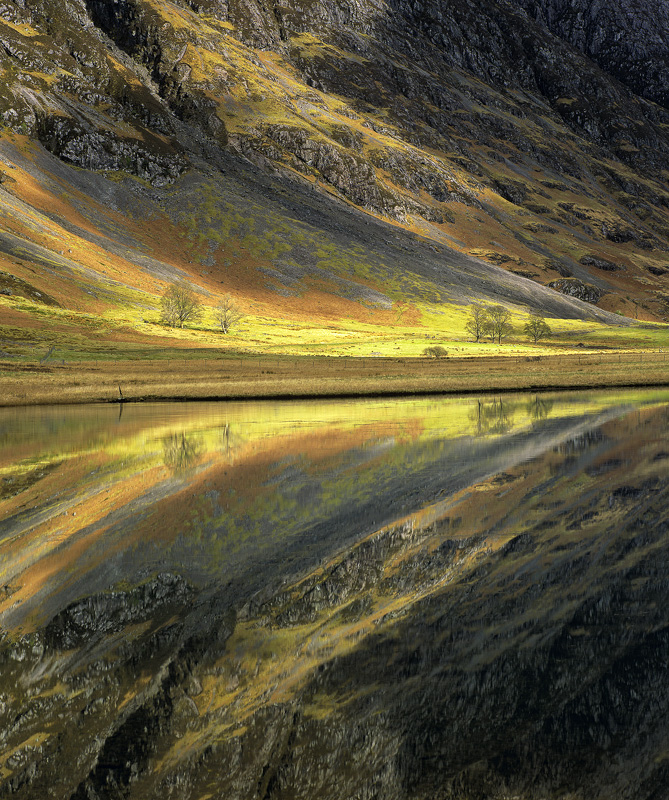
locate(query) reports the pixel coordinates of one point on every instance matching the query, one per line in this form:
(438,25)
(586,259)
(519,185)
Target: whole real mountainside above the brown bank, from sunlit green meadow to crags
(349,175)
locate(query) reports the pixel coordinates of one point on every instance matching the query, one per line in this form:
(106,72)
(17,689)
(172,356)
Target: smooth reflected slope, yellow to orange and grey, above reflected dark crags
(242,479)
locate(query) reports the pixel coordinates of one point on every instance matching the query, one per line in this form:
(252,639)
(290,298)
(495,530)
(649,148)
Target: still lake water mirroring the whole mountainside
(385,598)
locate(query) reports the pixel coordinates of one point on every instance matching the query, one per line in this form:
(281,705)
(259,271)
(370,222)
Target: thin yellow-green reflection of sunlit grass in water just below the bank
(57,432)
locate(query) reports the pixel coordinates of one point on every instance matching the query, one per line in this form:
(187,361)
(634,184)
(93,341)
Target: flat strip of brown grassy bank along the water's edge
(246,376)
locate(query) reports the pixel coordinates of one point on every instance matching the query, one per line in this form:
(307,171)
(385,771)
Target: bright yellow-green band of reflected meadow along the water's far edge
(45,436)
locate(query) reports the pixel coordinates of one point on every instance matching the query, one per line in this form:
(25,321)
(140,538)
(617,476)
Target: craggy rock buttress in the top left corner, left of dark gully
(98,117)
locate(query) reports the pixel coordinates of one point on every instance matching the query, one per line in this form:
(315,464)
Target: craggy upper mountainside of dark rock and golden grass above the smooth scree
(423,113)
